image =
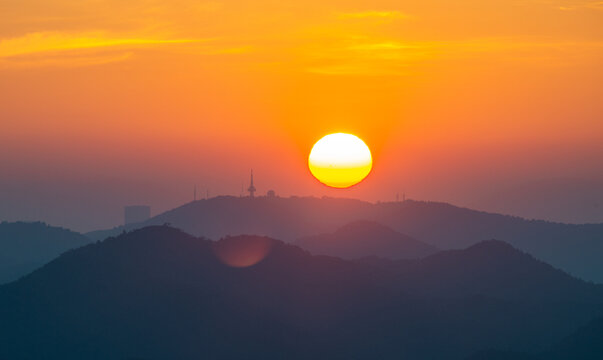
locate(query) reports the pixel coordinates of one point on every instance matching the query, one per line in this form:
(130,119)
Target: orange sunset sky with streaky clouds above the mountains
(107,103)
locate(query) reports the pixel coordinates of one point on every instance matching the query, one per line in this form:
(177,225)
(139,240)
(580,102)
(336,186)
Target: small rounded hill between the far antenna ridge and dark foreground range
(366,238)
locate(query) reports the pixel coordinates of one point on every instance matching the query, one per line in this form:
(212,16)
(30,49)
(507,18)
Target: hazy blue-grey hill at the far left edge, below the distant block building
(26,246)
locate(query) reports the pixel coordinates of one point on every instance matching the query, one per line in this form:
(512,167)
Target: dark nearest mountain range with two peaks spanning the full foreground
(159,293)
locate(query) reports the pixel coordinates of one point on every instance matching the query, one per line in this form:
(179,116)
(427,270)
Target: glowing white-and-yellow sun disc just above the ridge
(340,160)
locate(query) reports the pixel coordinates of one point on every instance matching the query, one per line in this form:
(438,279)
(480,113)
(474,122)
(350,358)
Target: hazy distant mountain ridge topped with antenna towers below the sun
(576,249)
